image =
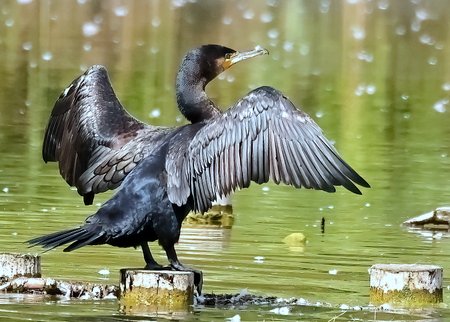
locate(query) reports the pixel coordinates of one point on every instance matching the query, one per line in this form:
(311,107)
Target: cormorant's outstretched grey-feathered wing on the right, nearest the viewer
(262,137)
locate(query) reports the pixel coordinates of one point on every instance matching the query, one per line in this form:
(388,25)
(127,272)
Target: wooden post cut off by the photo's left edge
(15,265)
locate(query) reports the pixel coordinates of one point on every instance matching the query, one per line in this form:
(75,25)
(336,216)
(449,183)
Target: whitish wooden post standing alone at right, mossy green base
(405,284)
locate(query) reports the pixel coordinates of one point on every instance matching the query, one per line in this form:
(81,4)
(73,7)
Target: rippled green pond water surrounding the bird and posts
(375,75)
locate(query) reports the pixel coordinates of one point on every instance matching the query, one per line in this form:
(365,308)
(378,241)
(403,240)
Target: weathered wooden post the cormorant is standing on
(156,291)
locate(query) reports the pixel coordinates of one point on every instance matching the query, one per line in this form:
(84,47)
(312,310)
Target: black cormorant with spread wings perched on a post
(166,172)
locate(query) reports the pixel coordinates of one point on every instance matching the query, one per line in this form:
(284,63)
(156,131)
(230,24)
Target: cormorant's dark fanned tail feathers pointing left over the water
(78,237)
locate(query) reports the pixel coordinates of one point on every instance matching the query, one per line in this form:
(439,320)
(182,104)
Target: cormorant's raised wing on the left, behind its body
(96,142)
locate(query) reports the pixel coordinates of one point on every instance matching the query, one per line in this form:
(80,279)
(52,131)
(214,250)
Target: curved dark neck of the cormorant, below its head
(192,99)
